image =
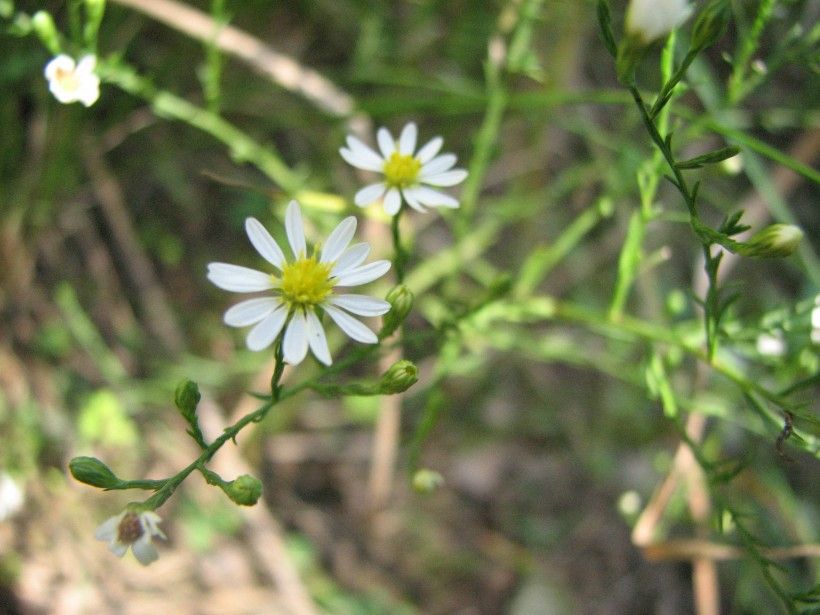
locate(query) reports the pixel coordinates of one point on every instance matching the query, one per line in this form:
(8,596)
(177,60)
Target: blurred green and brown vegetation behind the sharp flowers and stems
(557,429)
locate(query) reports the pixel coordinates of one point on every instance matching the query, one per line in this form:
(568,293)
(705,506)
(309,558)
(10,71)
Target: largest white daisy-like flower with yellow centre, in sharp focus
(300,286)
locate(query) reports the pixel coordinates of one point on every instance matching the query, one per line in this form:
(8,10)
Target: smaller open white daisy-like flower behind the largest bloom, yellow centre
(407,175)
